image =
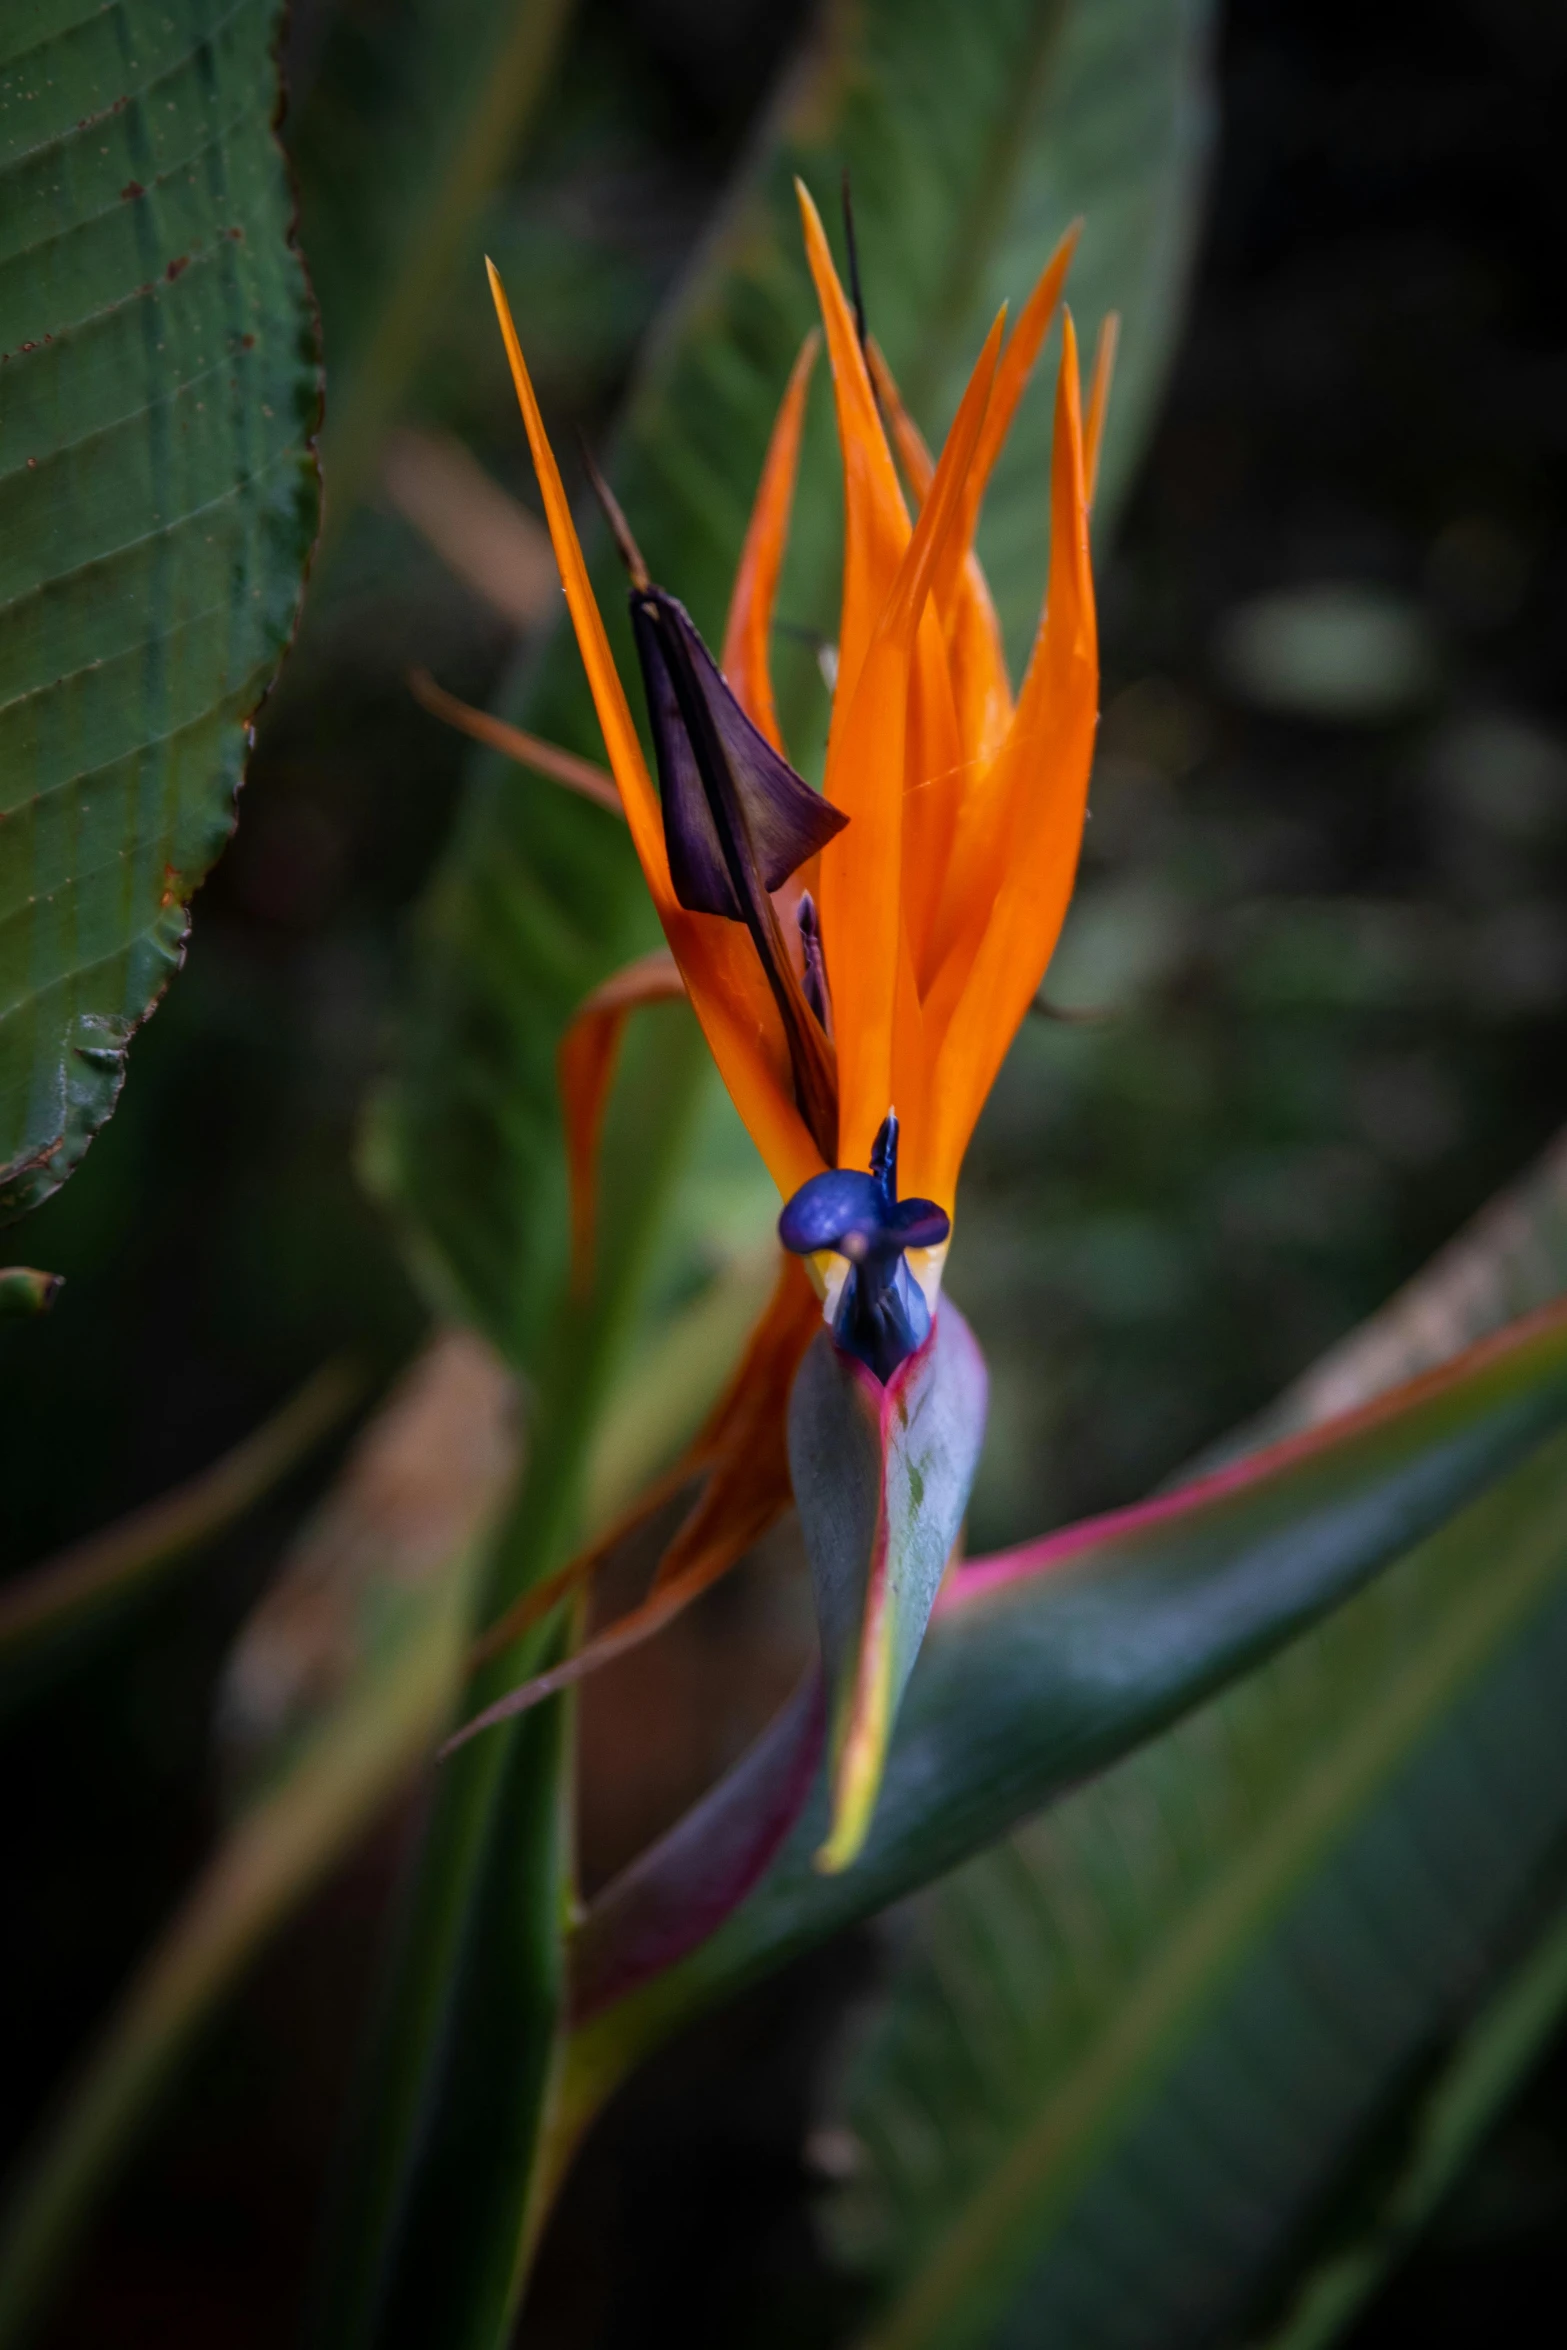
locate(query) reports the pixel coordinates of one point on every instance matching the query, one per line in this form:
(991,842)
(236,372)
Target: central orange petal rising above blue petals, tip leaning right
(866,777)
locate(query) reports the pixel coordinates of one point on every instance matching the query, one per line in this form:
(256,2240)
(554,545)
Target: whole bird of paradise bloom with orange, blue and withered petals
(859,960)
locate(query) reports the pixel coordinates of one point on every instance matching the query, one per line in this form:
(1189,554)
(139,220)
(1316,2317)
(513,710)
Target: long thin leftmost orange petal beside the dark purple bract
(720,967)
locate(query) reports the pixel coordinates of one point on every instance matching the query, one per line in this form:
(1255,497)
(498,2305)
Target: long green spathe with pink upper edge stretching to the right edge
(1042,1667)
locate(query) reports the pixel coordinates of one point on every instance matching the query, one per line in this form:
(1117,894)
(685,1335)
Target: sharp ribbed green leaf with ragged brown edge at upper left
(159,502)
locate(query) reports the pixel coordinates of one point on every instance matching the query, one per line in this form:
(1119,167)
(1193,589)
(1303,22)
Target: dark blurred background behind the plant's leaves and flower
(1336,946)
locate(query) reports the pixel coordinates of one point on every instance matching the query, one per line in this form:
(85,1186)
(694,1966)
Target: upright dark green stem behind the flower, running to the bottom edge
(438,2210)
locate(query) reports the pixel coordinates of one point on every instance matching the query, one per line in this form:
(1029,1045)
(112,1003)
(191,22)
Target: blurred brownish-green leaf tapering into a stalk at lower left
(335,1696)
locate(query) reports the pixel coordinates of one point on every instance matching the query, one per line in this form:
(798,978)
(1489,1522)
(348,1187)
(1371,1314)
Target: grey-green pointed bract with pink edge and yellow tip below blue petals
(882,1479)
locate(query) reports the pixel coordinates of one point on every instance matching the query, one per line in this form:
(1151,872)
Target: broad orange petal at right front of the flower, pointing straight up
(1042,791)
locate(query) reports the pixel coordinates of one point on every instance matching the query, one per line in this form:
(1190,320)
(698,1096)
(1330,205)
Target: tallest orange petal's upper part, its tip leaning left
(875,518)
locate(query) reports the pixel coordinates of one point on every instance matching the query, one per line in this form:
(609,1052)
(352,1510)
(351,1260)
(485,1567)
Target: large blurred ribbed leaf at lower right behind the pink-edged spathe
(1176,2015)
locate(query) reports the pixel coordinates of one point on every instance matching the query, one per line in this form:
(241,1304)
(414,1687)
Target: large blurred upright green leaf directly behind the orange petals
(974,140)
